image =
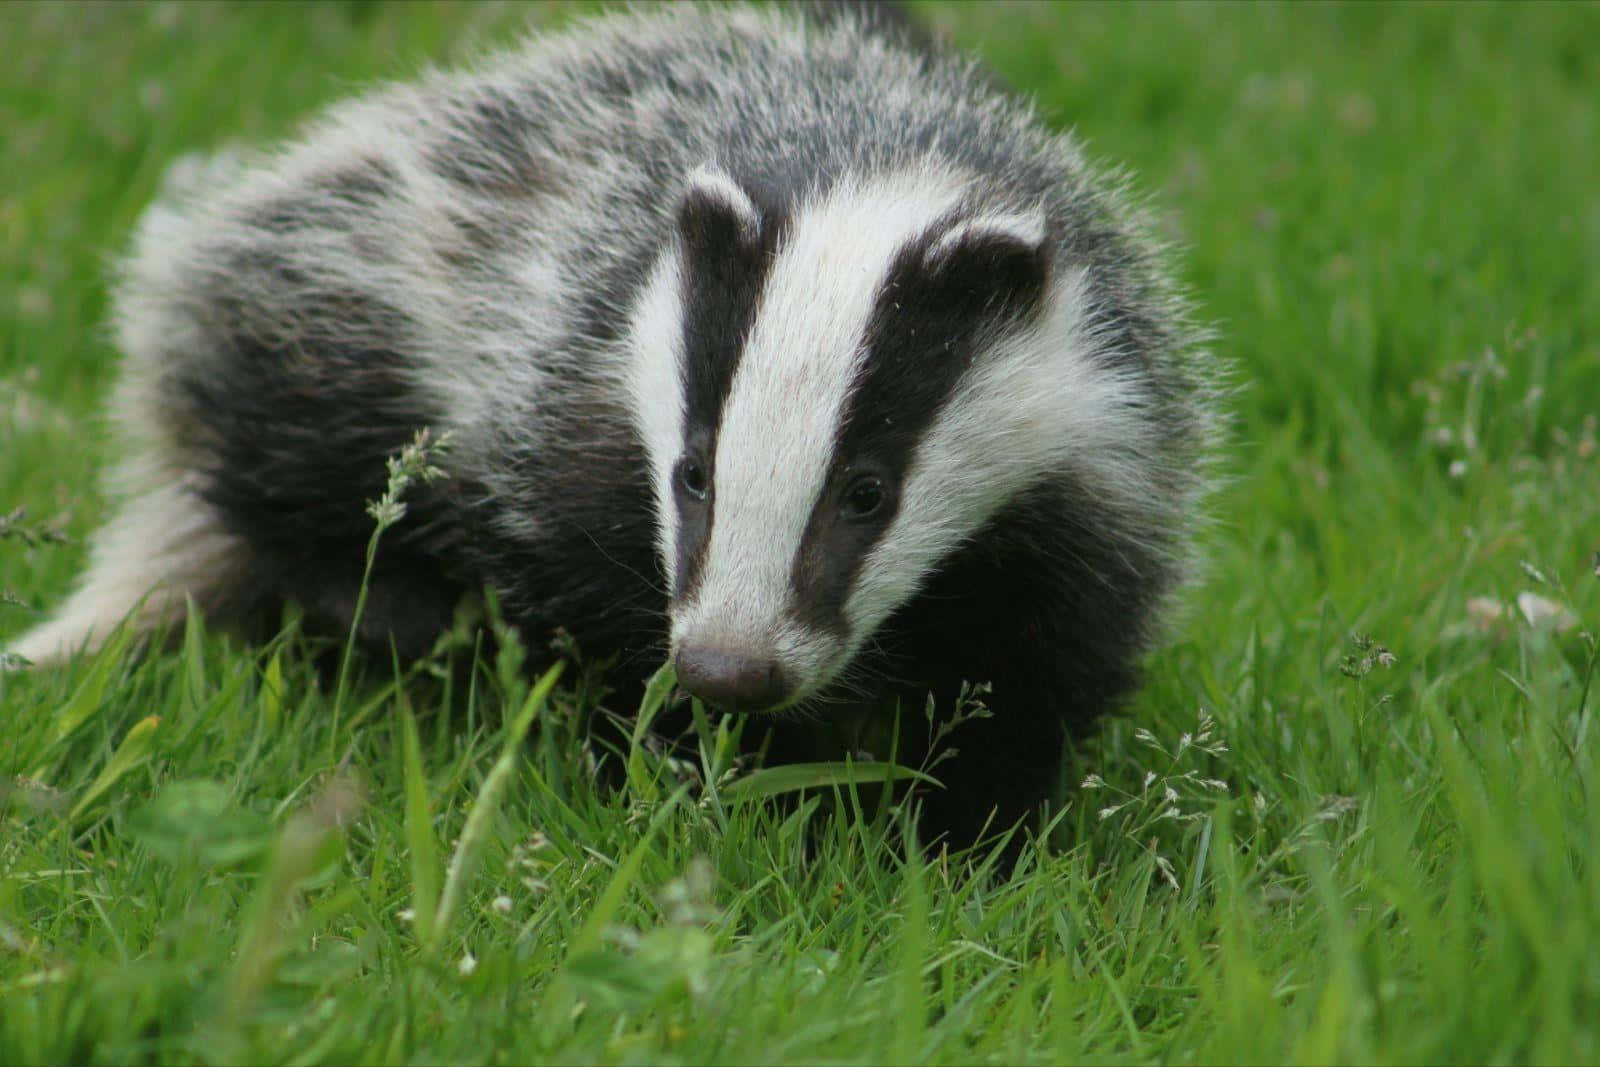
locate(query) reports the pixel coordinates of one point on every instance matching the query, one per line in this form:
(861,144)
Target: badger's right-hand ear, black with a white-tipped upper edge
(991,263)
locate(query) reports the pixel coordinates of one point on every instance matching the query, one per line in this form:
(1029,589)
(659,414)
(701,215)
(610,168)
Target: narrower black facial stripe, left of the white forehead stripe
(724,273)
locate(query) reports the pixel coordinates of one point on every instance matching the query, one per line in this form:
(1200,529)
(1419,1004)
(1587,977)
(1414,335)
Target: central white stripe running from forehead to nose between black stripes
(782,418)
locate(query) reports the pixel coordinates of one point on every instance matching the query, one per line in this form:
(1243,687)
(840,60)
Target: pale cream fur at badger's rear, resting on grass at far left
(162,548)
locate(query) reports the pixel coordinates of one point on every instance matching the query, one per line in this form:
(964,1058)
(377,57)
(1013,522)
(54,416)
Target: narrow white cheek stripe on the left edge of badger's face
(657,388)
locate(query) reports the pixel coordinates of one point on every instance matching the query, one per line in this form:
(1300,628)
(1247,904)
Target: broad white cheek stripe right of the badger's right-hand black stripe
(1031,404)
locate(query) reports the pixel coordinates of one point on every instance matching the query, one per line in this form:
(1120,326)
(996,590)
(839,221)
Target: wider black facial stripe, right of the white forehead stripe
(926,330)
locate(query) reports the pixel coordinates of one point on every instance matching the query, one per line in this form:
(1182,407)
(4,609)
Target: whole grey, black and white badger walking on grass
(790,350)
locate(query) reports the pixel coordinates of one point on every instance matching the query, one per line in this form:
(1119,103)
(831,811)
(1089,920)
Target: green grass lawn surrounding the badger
(1394,217)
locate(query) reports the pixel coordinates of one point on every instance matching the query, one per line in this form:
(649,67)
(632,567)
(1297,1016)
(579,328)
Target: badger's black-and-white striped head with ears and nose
(833,401)
